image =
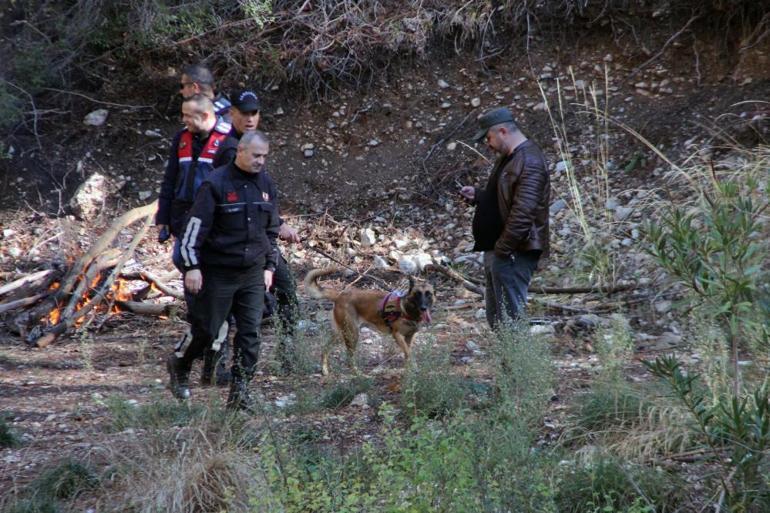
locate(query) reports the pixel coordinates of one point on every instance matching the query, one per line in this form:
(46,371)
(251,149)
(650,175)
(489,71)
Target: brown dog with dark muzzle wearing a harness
(383,311)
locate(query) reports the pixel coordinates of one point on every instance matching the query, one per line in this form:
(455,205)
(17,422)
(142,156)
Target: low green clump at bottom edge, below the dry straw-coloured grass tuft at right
(608,485)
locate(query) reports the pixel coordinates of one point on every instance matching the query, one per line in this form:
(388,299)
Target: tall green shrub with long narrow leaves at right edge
(715,250)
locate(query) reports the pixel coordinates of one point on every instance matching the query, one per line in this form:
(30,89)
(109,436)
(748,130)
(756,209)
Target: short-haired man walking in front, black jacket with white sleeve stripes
(229,255)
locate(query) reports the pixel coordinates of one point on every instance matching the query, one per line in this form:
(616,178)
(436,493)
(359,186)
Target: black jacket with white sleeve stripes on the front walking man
(233,222)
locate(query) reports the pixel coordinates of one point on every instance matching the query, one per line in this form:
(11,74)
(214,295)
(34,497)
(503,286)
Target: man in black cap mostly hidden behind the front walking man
(245,115)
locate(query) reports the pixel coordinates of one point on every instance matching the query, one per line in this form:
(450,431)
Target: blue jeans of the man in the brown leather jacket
(507,281)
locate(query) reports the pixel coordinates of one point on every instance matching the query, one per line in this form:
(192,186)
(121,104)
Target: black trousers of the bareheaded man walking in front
(226,290)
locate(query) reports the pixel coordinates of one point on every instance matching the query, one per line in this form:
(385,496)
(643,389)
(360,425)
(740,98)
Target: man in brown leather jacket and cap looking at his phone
(510,224)
